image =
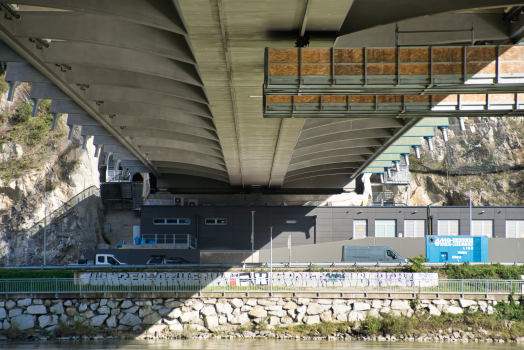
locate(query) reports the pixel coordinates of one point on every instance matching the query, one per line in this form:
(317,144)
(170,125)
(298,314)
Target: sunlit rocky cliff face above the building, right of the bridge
(488,157)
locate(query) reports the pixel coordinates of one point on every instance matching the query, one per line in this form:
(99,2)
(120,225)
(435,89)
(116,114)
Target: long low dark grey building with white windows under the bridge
(229,228)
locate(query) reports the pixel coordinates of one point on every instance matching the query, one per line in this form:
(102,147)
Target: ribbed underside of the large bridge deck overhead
(174,88)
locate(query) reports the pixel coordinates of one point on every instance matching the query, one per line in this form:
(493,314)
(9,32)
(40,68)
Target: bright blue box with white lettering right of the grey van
(457,249)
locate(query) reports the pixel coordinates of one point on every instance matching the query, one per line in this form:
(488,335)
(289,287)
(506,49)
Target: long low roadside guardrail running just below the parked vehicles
(239,265)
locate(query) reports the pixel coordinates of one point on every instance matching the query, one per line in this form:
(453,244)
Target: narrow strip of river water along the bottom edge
(253,345)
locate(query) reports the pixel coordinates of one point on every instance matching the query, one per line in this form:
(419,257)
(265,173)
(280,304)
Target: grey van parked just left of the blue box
(358,253)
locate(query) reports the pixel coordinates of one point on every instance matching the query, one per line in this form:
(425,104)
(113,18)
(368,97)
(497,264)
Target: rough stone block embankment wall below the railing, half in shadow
(168,317)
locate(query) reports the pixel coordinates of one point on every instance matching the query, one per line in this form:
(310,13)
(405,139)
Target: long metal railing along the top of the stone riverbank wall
(259,284)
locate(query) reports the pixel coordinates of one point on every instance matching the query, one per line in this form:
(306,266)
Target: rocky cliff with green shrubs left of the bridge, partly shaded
(41,172)
